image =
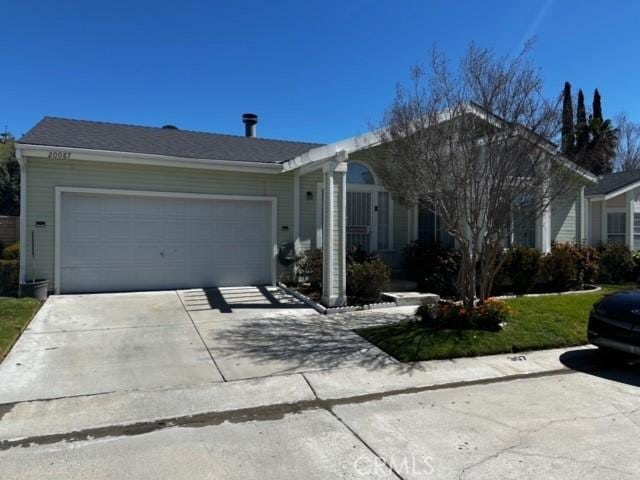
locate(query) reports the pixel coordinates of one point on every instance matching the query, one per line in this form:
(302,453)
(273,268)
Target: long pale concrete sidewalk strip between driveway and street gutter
(151,409)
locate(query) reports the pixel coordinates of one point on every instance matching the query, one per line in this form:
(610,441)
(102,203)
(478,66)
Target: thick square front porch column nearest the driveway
(334,259)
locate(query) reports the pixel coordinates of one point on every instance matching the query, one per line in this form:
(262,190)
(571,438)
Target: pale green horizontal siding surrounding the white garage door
(44,175)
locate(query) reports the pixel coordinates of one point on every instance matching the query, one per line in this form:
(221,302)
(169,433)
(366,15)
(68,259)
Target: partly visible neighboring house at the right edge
(614,209)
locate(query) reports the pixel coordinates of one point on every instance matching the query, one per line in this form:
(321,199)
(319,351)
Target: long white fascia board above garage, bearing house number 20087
(42,151)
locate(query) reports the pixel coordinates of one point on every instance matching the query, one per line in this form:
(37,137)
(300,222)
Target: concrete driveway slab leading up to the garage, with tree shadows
(90,344)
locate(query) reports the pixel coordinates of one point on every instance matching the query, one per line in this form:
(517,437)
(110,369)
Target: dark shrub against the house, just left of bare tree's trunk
(435,269)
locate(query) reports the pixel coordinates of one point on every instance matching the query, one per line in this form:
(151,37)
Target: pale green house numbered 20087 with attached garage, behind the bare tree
(116,207)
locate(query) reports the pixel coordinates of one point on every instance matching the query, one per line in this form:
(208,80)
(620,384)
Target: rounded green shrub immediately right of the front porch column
(366,280)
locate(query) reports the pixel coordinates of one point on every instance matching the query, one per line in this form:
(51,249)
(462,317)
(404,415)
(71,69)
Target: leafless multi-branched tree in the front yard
(471,144)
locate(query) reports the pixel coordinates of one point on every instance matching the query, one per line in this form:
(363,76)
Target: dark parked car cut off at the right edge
(614,323)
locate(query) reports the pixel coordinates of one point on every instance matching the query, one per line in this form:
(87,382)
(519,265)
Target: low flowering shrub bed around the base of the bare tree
(489,315)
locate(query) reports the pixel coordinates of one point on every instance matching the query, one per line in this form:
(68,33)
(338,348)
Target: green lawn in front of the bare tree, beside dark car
(537,323)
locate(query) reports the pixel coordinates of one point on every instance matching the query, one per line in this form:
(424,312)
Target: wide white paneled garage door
(120,243)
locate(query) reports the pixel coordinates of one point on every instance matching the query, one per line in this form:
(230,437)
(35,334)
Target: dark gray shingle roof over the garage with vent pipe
(63,132)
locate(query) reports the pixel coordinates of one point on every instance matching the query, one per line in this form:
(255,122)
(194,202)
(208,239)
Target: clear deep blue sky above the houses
(313,70)
